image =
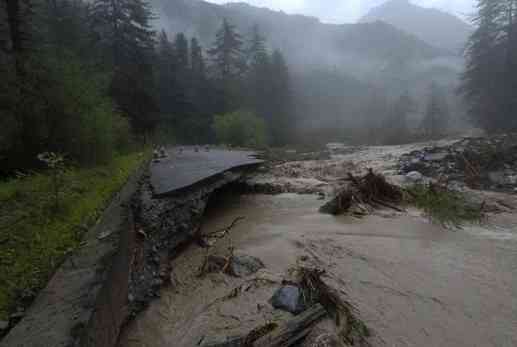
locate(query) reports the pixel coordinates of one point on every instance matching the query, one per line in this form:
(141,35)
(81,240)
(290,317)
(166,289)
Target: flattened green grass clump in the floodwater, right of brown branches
(444,206)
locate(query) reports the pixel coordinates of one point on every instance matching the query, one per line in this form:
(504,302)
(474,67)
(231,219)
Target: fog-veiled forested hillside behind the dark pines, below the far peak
(338,70)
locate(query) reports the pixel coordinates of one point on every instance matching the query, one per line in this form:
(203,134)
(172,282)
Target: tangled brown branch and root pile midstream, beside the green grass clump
(365,193)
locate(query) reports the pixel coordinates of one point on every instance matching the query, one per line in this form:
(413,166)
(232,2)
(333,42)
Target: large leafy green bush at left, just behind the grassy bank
(86,126)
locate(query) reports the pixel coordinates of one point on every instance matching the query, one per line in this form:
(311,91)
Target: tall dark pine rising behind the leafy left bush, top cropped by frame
(123,28)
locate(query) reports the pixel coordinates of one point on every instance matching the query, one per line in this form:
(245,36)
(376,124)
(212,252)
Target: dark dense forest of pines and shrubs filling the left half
(89,80)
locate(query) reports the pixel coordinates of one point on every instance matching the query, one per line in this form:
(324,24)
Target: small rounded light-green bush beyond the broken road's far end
(240,128)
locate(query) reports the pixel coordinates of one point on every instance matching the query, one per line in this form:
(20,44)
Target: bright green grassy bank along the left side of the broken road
(35,238)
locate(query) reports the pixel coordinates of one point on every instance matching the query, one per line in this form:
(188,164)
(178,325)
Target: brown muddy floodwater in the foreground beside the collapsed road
(414,283)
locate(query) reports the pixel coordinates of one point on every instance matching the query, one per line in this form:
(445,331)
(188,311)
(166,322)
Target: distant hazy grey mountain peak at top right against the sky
(433,26)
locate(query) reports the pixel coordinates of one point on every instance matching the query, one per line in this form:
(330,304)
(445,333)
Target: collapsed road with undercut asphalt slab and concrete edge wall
(118,269)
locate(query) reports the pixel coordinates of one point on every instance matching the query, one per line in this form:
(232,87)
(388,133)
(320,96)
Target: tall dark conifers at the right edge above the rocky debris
(489,81)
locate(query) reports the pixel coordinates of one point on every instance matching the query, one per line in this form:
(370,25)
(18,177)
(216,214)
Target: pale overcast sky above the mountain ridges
(347,11)
